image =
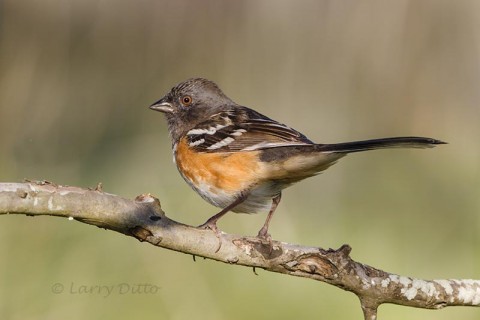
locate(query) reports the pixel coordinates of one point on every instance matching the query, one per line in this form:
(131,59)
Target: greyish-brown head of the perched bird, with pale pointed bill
(189,103)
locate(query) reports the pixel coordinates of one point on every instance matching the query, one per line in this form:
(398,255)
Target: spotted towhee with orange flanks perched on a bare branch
(240,160)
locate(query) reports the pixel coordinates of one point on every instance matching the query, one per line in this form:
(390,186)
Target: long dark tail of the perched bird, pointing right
(384,143)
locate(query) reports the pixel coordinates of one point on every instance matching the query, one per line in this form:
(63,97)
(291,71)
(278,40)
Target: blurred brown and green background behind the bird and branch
(76,78)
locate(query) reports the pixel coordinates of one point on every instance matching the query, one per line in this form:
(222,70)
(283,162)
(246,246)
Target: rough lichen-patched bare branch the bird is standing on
(144,219)
